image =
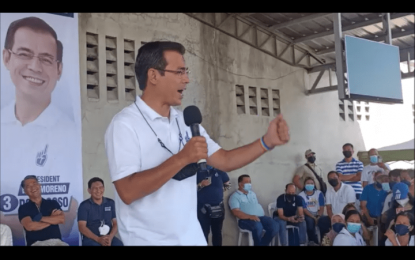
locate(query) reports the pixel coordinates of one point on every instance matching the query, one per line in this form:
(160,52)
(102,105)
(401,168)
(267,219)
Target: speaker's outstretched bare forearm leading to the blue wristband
(236,158)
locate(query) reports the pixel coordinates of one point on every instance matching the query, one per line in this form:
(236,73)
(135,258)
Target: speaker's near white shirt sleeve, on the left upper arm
(123,150)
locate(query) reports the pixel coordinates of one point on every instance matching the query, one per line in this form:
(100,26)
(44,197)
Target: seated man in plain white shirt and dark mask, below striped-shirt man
(338,195)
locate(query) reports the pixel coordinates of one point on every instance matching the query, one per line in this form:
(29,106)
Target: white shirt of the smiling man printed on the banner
(48,148)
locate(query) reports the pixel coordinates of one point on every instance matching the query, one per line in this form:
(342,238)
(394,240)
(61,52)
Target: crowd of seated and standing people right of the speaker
(363,205)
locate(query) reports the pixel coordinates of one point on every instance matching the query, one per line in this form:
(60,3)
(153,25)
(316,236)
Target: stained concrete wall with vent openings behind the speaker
(218,63)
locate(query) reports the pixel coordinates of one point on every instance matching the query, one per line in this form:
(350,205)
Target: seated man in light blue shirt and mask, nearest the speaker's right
(244,206)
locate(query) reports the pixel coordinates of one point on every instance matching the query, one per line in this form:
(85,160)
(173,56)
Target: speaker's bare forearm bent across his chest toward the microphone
(141,184)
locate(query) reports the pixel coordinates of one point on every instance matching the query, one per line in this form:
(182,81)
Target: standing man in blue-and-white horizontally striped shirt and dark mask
(350,171)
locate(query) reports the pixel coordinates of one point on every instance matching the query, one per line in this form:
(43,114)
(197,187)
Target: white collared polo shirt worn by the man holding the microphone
(168,216)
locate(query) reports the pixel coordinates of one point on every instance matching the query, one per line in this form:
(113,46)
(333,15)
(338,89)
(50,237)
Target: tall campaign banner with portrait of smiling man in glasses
(40,116)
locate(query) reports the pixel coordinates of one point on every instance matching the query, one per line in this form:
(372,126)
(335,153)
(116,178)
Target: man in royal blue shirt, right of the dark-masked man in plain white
(372,199)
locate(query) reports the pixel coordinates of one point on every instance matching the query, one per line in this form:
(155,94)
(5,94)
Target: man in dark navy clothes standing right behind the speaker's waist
(210,209)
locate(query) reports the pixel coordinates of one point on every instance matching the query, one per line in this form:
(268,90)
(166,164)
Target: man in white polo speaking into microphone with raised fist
(152,162)
